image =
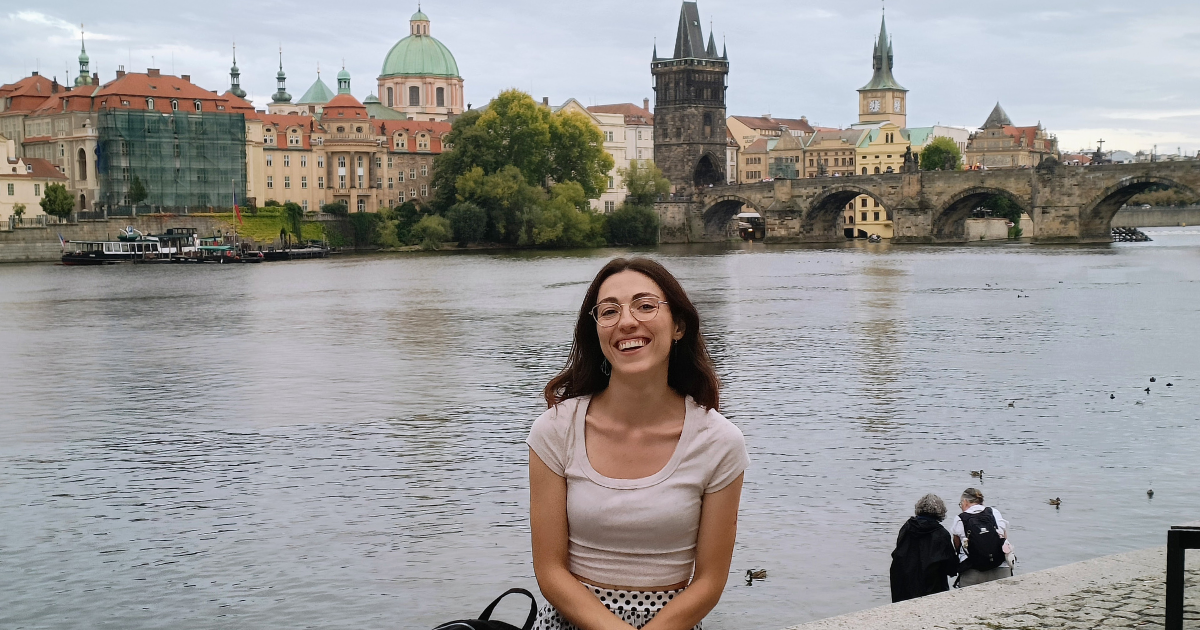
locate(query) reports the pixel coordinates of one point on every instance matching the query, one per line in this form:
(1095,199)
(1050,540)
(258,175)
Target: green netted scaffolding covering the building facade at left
(183,160)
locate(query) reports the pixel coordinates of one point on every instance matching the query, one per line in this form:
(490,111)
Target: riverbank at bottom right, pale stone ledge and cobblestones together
(1123,591)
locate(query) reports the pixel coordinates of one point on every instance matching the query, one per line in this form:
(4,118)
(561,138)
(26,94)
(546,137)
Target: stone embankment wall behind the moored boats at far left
(39,245)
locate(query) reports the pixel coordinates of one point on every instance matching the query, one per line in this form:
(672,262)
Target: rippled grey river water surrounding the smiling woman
(340,443)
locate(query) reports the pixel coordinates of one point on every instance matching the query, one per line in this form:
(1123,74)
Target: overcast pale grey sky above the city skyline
(1124,71)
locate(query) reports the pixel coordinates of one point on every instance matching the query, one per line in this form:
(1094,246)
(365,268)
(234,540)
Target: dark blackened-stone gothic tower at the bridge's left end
(689,107)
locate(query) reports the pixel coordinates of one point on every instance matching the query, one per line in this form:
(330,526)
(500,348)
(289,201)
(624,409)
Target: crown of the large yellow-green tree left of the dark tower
(518,133)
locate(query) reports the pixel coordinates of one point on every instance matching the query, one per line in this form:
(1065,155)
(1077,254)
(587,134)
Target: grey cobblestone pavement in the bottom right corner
(1135,604)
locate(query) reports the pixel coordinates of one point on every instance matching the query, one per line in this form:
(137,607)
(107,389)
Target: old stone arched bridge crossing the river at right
(1067,205)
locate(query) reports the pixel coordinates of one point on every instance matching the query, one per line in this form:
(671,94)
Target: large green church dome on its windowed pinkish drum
(421,77)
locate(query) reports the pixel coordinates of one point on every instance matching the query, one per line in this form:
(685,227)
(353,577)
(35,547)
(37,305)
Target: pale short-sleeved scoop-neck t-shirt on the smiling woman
(638,532)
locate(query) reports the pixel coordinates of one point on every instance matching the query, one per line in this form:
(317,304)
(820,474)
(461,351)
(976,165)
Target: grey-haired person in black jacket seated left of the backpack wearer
(925,556)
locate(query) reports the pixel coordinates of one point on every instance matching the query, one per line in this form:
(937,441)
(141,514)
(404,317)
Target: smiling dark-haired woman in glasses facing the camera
(635,478)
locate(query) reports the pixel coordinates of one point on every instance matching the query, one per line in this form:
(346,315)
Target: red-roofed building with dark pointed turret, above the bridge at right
(1000,145)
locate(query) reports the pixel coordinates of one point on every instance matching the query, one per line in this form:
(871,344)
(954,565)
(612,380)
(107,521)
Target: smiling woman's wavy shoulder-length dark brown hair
(691,369)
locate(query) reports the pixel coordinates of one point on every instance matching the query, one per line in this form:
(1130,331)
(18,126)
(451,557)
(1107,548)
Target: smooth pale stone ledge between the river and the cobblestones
(975,605)
